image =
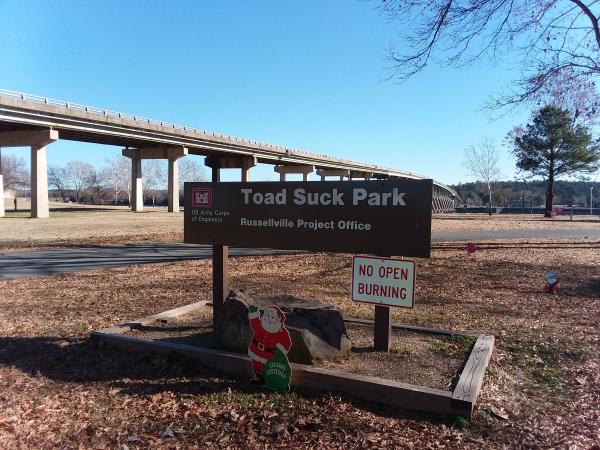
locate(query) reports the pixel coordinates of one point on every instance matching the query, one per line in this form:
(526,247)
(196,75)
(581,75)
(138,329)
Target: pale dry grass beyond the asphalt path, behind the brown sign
(78,225)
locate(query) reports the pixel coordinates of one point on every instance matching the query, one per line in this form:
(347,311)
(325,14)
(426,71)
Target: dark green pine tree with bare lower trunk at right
(552,146)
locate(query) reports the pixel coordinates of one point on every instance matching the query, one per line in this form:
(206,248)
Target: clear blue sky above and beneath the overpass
(309,75)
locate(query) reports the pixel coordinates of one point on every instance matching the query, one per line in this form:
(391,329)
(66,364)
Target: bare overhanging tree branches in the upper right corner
(548,38)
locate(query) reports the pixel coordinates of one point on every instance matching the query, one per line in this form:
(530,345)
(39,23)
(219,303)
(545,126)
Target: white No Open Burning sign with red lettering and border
(383,281)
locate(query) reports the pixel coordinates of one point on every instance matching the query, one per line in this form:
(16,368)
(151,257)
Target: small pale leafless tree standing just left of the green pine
(482,164)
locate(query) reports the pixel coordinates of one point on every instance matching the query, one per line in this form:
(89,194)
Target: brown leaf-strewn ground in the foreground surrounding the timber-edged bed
(541,390)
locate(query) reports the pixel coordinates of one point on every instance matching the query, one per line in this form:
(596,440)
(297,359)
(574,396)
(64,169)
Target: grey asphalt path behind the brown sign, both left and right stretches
(50,262)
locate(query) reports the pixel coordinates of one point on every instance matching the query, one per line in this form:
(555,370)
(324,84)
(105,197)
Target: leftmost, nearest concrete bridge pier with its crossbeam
(37,140)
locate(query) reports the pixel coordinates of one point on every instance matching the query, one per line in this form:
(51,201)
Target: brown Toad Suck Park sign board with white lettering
(390,217)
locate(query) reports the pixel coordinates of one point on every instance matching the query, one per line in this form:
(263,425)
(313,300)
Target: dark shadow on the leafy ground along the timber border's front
(81,361)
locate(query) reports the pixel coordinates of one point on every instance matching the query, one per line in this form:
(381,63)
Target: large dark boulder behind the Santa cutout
(317,329)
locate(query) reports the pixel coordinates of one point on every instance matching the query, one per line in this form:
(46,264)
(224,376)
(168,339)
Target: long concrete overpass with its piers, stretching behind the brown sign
(35,122)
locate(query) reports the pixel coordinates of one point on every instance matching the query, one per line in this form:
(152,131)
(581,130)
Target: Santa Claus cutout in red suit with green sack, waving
(269,348)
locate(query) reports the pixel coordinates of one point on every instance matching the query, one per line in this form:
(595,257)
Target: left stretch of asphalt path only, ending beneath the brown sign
(50,262)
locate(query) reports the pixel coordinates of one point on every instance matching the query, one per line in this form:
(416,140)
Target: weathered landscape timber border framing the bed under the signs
(459,402)
